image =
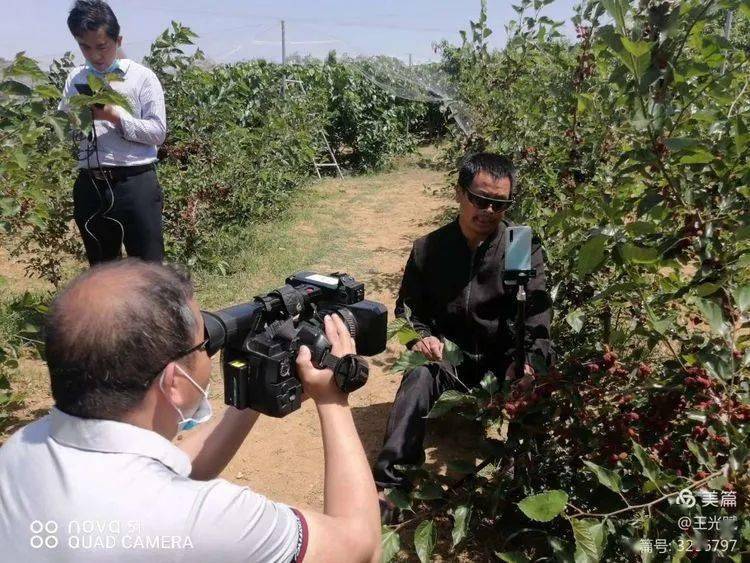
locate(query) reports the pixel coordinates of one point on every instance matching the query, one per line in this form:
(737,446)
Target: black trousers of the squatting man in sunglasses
(404,435)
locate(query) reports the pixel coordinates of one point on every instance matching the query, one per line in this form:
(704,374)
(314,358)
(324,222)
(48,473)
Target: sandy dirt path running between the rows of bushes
(284,458)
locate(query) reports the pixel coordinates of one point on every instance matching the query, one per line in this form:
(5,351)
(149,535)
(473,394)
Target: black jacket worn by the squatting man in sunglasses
(459,294)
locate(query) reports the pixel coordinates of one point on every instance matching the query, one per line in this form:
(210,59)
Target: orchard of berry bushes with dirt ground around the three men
(631,141)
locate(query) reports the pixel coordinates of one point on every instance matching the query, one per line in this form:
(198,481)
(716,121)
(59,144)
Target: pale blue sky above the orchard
(236,29)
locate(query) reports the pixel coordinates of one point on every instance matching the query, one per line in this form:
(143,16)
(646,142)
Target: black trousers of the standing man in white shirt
(127,211)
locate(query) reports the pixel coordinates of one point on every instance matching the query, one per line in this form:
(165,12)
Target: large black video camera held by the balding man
(260,340)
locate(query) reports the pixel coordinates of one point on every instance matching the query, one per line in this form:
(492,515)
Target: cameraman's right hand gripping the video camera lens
(319,384)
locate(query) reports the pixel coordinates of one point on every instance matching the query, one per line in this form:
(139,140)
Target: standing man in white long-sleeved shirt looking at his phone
(117,197)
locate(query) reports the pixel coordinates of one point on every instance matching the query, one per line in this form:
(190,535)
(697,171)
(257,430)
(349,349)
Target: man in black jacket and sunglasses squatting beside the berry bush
(452,288)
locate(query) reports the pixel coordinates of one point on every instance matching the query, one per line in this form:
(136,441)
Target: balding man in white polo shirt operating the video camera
(98,478)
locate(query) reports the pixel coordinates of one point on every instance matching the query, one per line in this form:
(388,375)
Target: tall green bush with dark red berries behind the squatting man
(633,151)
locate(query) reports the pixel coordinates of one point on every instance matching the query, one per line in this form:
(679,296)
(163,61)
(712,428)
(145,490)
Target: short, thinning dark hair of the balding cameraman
(111,332)
